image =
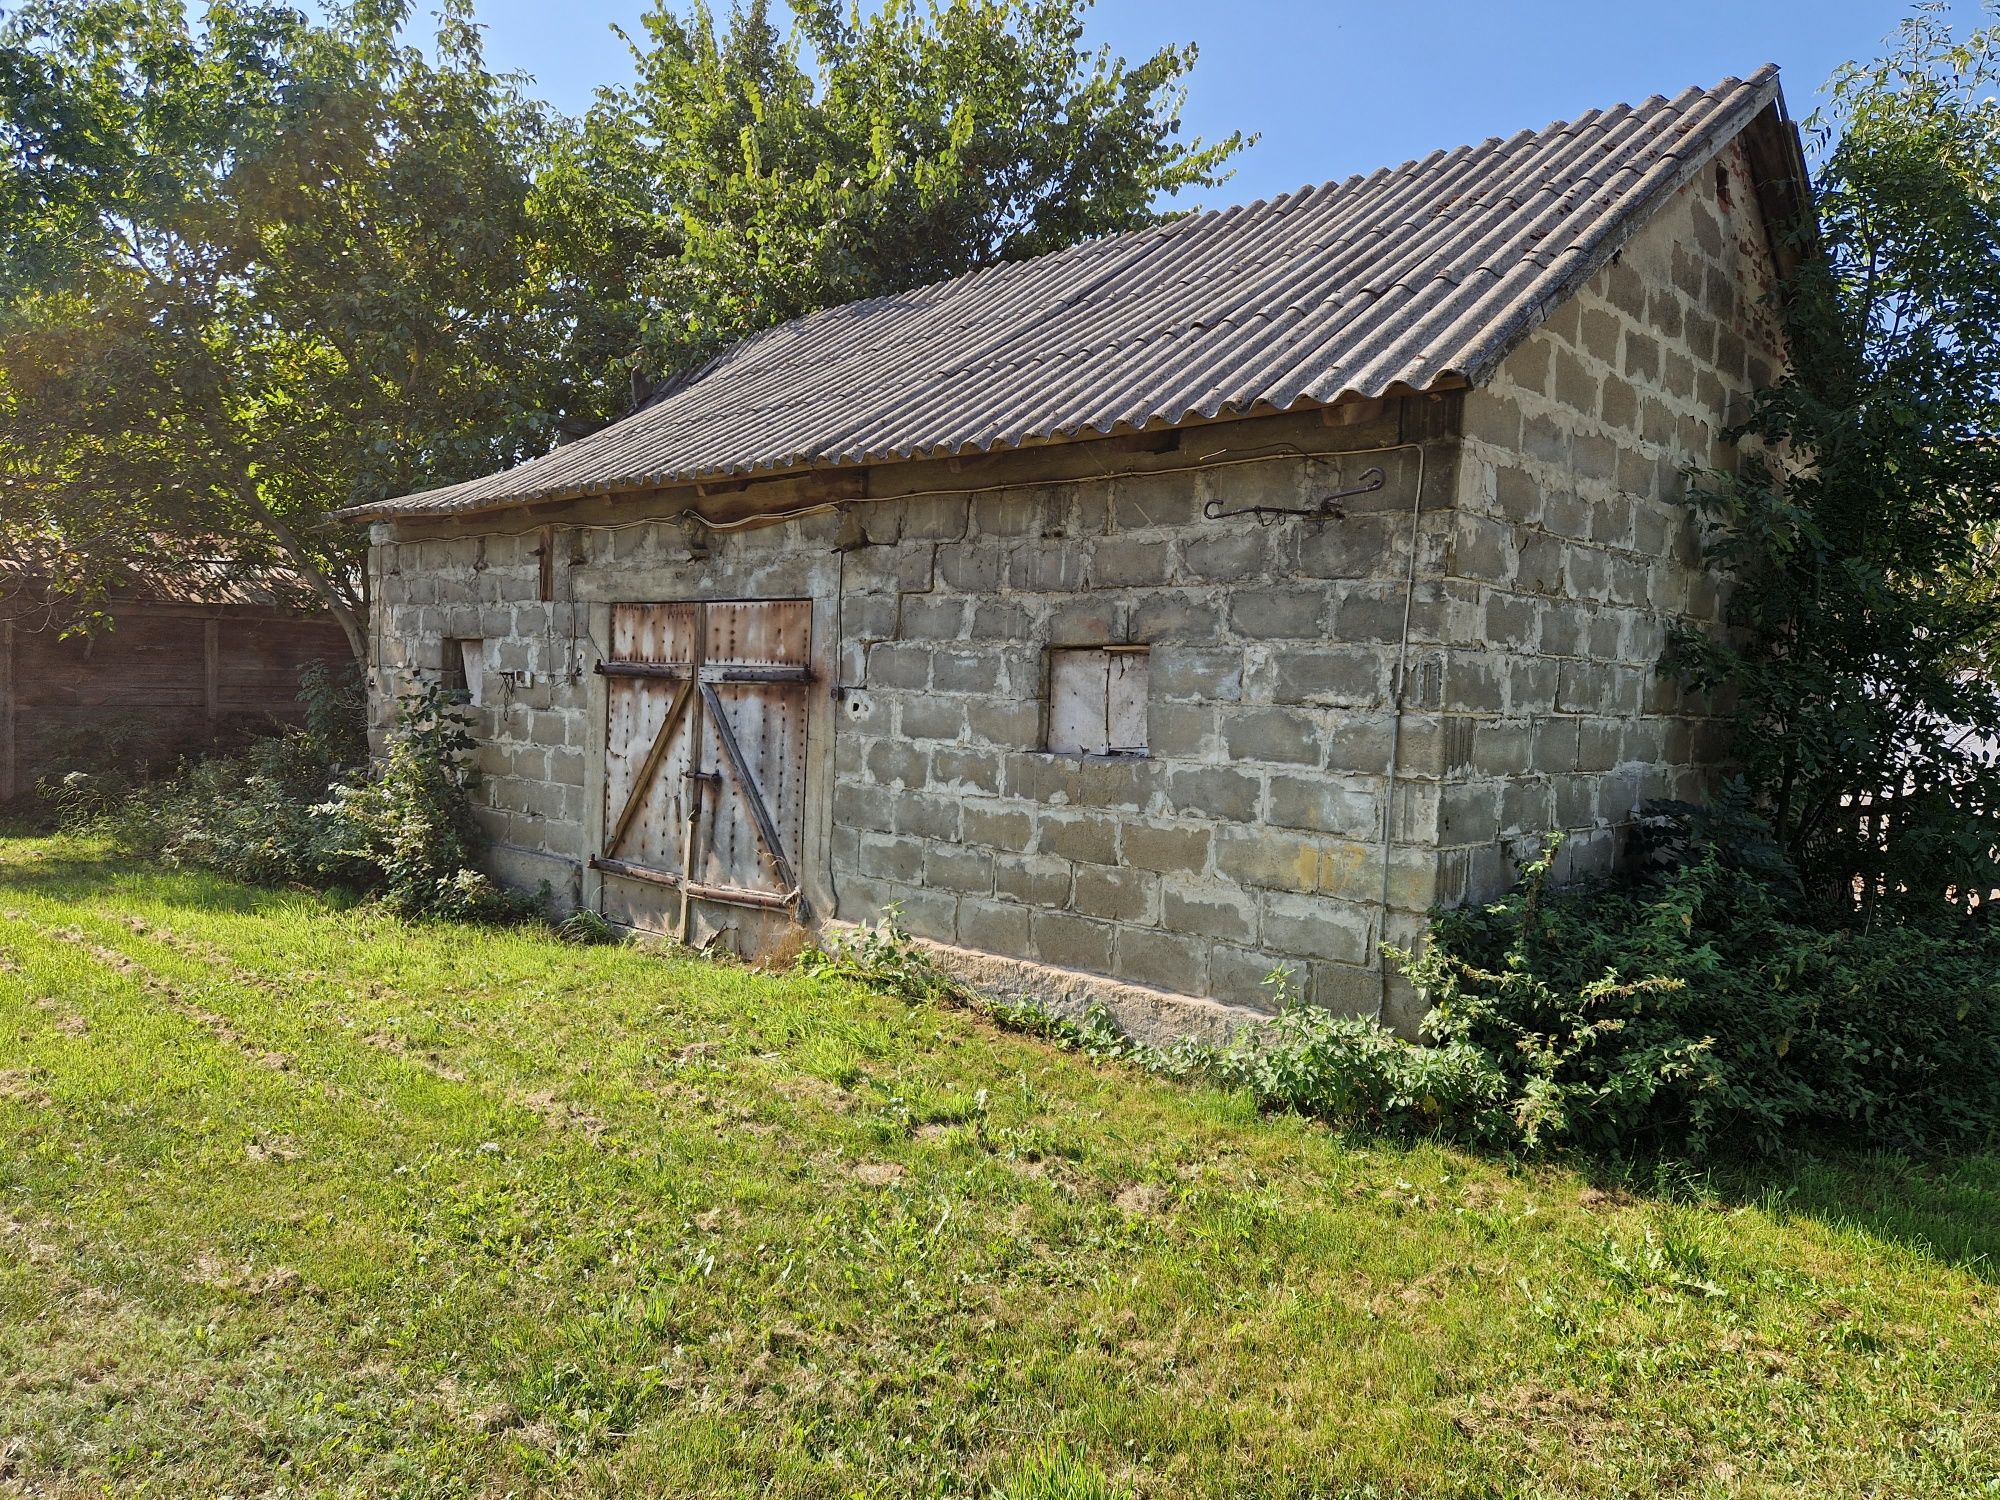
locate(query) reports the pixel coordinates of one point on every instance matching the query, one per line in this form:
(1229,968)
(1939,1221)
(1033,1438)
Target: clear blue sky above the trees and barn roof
(1347,87)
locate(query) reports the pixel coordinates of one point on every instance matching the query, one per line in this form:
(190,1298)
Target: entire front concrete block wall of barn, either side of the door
(1249,839)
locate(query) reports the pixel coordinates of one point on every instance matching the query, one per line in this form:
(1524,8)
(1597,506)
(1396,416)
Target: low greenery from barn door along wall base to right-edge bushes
(1685,1011)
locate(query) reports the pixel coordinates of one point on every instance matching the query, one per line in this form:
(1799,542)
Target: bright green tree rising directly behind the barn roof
(751,177)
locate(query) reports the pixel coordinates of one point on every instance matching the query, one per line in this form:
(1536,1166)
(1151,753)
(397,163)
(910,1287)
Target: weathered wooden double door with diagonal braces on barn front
(705,751)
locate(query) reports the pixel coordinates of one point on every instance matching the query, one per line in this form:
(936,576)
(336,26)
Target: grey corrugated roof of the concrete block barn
(1405,281)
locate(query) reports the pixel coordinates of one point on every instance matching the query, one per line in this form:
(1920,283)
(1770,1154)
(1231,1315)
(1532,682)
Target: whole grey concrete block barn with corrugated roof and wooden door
(1151,615)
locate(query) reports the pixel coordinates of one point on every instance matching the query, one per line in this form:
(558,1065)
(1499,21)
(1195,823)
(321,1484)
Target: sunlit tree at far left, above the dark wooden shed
(253,271)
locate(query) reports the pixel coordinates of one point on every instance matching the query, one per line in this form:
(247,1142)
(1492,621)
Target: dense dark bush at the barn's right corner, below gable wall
(1695,1011)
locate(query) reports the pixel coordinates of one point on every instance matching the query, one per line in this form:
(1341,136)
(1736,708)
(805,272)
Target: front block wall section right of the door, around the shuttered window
(1253,833)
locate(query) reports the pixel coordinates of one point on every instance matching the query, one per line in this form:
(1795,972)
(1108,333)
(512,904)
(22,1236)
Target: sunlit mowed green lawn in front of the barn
(307,1201)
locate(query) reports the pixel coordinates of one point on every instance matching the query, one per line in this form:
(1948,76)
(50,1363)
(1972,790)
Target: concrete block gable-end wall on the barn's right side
(1575,545)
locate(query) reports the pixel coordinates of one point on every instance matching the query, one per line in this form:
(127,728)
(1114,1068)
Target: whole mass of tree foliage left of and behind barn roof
(263,267)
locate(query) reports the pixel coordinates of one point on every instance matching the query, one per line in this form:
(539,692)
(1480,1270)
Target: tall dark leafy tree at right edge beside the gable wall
(1865,529)
